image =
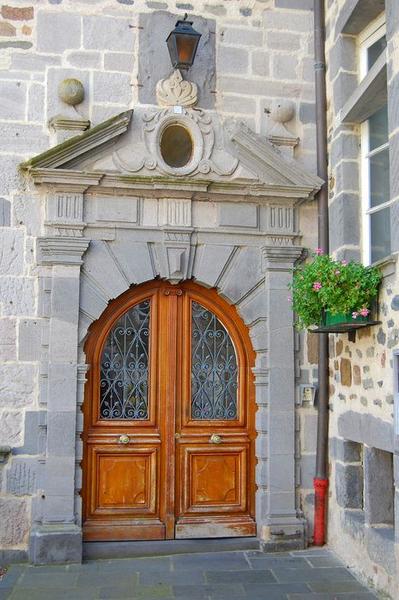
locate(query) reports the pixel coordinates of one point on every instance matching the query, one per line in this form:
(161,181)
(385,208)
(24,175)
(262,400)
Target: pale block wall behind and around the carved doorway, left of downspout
(262,51)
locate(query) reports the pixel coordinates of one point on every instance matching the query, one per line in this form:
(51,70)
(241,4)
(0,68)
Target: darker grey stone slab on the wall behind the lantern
(154,62)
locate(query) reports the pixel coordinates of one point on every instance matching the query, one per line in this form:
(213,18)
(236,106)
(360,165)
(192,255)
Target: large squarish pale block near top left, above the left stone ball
(58,31)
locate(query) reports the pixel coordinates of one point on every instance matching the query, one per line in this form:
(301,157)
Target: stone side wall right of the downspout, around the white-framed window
(362,375)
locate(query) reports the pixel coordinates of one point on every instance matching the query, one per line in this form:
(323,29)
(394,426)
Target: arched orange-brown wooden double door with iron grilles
(169,418)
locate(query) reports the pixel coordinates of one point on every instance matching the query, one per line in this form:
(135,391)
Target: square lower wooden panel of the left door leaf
(125,480)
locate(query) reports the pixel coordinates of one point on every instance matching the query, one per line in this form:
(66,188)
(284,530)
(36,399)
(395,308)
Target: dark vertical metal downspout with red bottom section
(320,481)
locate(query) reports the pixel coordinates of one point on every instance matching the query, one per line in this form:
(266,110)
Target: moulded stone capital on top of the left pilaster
(62,250)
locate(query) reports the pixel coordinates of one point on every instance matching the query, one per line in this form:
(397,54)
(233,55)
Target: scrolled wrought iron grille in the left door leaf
(124,366)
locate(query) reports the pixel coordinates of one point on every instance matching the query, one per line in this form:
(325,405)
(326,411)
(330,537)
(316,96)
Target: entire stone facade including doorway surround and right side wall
(90,211)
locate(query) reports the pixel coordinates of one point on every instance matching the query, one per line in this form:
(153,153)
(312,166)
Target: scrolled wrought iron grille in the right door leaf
(214,372)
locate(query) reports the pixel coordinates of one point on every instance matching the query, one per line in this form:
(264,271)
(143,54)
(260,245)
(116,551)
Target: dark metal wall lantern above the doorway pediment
(182,44)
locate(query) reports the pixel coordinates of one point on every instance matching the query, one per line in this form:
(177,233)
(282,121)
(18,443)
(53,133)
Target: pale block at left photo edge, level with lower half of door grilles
(17,384)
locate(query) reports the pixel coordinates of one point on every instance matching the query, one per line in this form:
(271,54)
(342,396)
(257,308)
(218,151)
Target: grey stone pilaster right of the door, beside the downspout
(281,528)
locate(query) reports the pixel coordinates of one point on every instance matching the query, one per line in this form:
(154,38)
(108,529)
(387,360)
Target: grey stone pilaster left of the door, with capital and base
(57,538)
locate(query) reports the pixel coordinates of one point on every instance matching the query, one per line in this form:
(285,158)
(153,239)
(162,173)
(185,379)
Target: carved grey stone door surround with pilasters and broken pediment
(89,254)
